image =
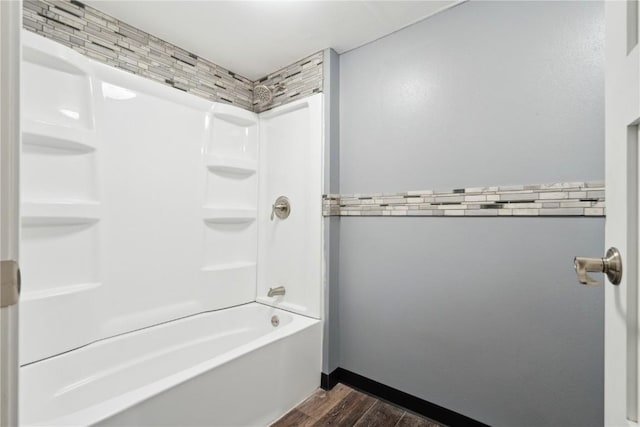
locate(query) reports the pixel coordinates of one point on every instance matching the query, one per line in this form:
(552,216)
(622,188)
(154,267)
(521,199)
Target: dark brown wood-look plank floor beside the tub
(344,406)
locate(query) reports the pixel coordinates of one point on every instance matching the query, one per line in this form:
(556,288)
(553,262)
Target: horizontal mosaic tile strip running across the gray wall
(559,199)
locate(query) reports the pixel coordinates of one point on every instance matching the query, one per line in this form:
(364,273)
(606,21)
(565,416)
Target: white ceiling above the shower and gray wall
(255,38)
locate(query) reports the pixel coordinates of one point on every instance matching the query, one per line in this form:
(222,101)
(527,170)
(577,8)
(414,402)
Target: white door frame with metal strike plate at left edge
(10,23)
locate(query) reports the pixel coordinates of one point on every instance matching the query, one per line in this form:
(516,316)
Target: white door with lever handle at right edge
(622,116)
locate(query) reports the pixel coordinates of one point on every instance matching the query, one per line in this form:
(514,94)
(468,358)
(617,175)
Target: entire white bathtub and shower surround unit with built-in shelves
(162,283)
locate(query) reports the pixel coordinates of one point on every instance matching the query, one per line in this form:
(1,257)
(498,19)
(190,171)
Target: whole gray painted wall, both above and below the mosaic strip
(483,316)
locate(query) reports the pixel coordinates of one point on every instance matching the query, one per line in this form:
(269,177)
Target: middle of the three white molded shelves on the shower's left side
(59,213)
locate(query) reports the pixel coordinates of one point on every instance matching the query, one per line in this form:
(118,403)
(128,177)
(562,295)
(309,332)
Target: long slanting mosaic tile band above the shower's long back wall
(113,42)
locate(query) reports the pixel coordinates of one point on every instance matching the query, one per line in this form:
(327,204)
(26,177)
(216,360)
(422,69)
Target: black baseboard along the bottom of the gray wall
(397,397)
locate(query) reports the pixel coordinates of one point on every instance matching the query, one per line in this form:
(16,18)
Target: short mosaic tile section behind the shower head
(298,80)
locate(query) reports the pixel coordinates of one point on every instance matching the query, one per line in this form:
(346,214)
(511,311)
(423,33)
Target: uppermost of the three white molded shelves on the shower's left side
(47,135)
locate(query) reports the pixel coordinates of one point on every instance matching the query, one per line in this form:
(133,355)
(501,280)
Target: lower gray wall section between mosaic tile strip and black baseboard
(480,315)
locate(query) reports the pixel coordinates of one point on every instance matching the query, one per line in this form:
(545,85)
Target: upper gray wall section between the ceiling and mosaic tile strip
(486,93)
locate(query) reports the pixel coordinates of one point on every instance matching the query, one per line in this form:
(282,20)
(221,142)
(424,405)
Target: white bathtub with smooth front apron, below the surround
(228,367)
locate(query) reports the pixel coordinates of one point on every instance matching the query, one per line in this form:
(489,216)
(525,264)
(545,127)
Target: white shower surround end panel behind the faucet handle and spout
(290,251)
